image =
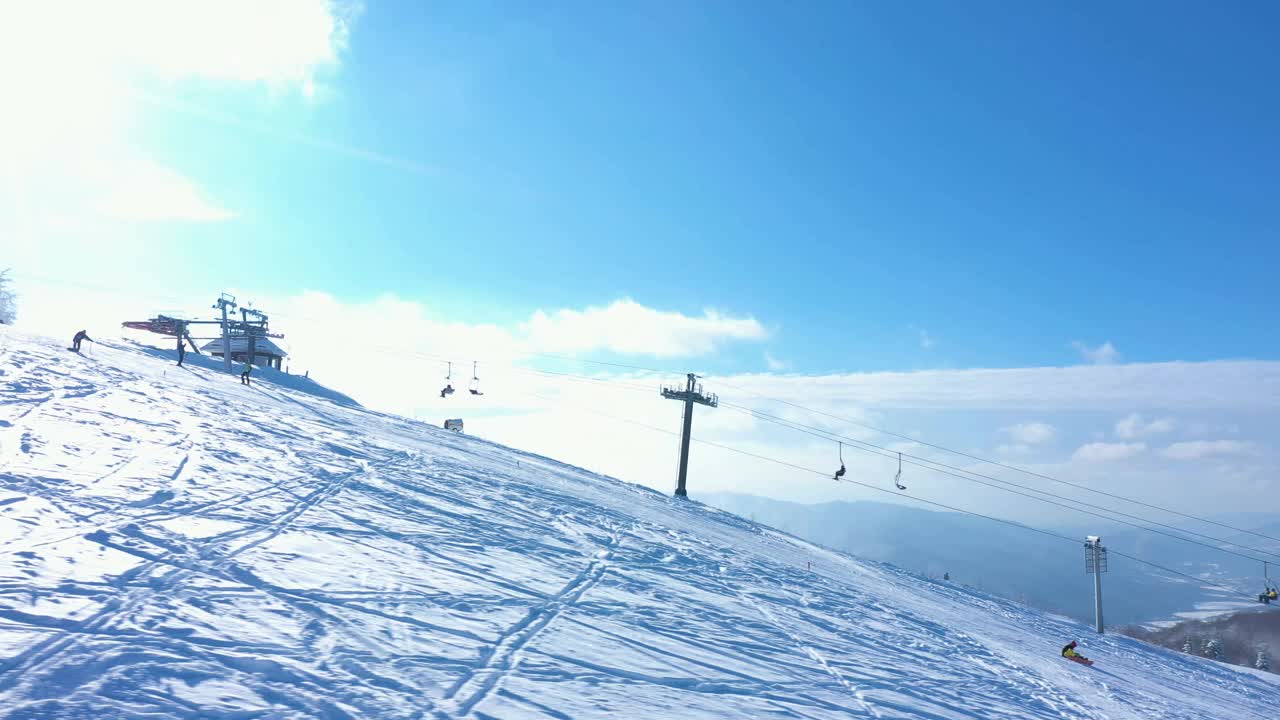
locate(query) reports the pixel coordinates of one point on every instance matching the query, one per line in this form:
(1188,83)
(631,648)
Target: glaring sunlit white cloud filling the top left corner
(71,74)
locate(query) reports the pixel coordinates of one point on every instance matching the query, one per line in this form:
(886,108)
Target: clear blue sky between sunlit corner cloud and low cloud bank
(1009,180)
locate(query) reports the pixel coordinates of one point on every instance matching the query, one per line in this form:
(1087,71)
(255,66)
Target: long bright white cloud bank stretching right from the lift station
(391,339)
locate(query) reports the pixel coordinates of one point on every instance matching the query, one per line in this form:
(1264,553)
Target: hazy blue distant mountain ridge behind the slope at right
(1017,563)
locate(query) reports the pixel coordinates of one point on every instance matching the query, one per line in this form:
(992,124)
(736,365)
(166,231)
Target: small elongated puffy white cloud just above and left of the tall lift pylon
(632,329)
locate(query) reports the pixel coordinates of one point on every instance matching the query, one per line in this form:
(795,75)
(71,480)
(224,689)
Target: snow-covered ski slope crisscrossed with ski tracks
(175,545)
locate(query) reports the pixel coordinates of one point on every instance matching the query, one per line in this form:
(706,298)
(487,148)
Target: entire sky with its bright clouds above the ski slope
(825,190)
